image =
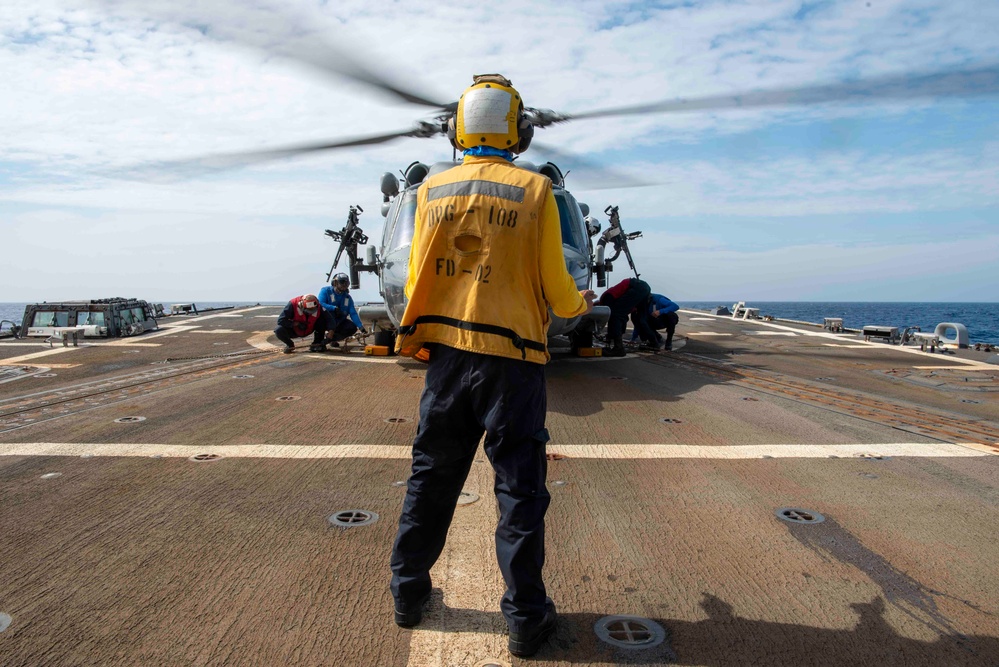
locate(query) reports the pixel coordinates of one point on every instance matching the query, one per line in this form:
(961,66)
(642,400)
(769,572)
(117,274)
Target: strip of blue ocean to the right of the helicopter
(981,319)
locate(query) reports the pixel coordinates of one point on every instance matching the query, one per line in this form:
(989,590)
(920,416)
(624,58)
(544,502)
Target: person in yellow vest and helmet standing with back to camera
(485,265)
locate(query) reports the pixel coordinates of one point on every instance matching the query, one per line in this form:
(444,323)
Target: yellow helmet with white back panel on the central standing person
(491,113)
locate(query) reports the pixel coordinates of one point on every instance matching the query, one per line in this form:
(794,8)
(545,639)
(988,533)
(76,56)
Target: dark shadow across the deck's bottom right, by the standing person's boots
(725,639)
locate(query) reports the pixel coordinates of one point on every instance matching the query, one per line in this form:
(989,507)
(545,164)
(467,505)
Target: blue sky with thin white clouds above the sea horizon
(885,200)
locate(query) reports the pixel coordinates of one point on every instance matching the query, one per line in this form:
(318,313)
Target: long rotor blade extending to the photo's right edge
(963,83)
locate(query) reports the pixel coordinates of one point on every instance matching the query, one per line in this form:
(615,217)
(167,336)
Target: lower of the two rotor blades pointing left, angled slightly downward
(173,170)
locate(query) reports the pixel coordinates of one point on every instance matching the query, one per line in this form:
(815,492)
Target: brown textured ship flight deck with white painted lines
(668,474)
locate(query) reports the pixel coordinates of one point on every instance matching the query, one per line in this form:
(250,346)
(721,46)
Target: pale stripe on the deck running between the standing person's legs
(470,580)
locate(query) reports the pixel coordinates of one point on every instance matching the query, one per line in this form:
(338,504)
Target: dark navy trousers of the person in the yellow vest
(466,395)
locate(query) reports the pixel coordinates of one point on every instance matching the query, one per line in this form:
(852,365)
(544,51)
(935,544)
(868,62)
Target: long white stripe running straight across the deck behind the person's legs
(720,452)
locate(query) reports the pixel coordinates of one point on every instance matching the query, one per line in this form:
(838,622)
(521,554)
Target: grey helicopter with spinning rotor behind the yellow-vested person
(584,259)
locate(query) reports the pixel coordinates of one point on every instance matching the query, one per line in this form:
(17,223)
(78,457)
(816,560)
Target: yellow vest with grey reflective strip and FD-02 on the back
(475,279)
